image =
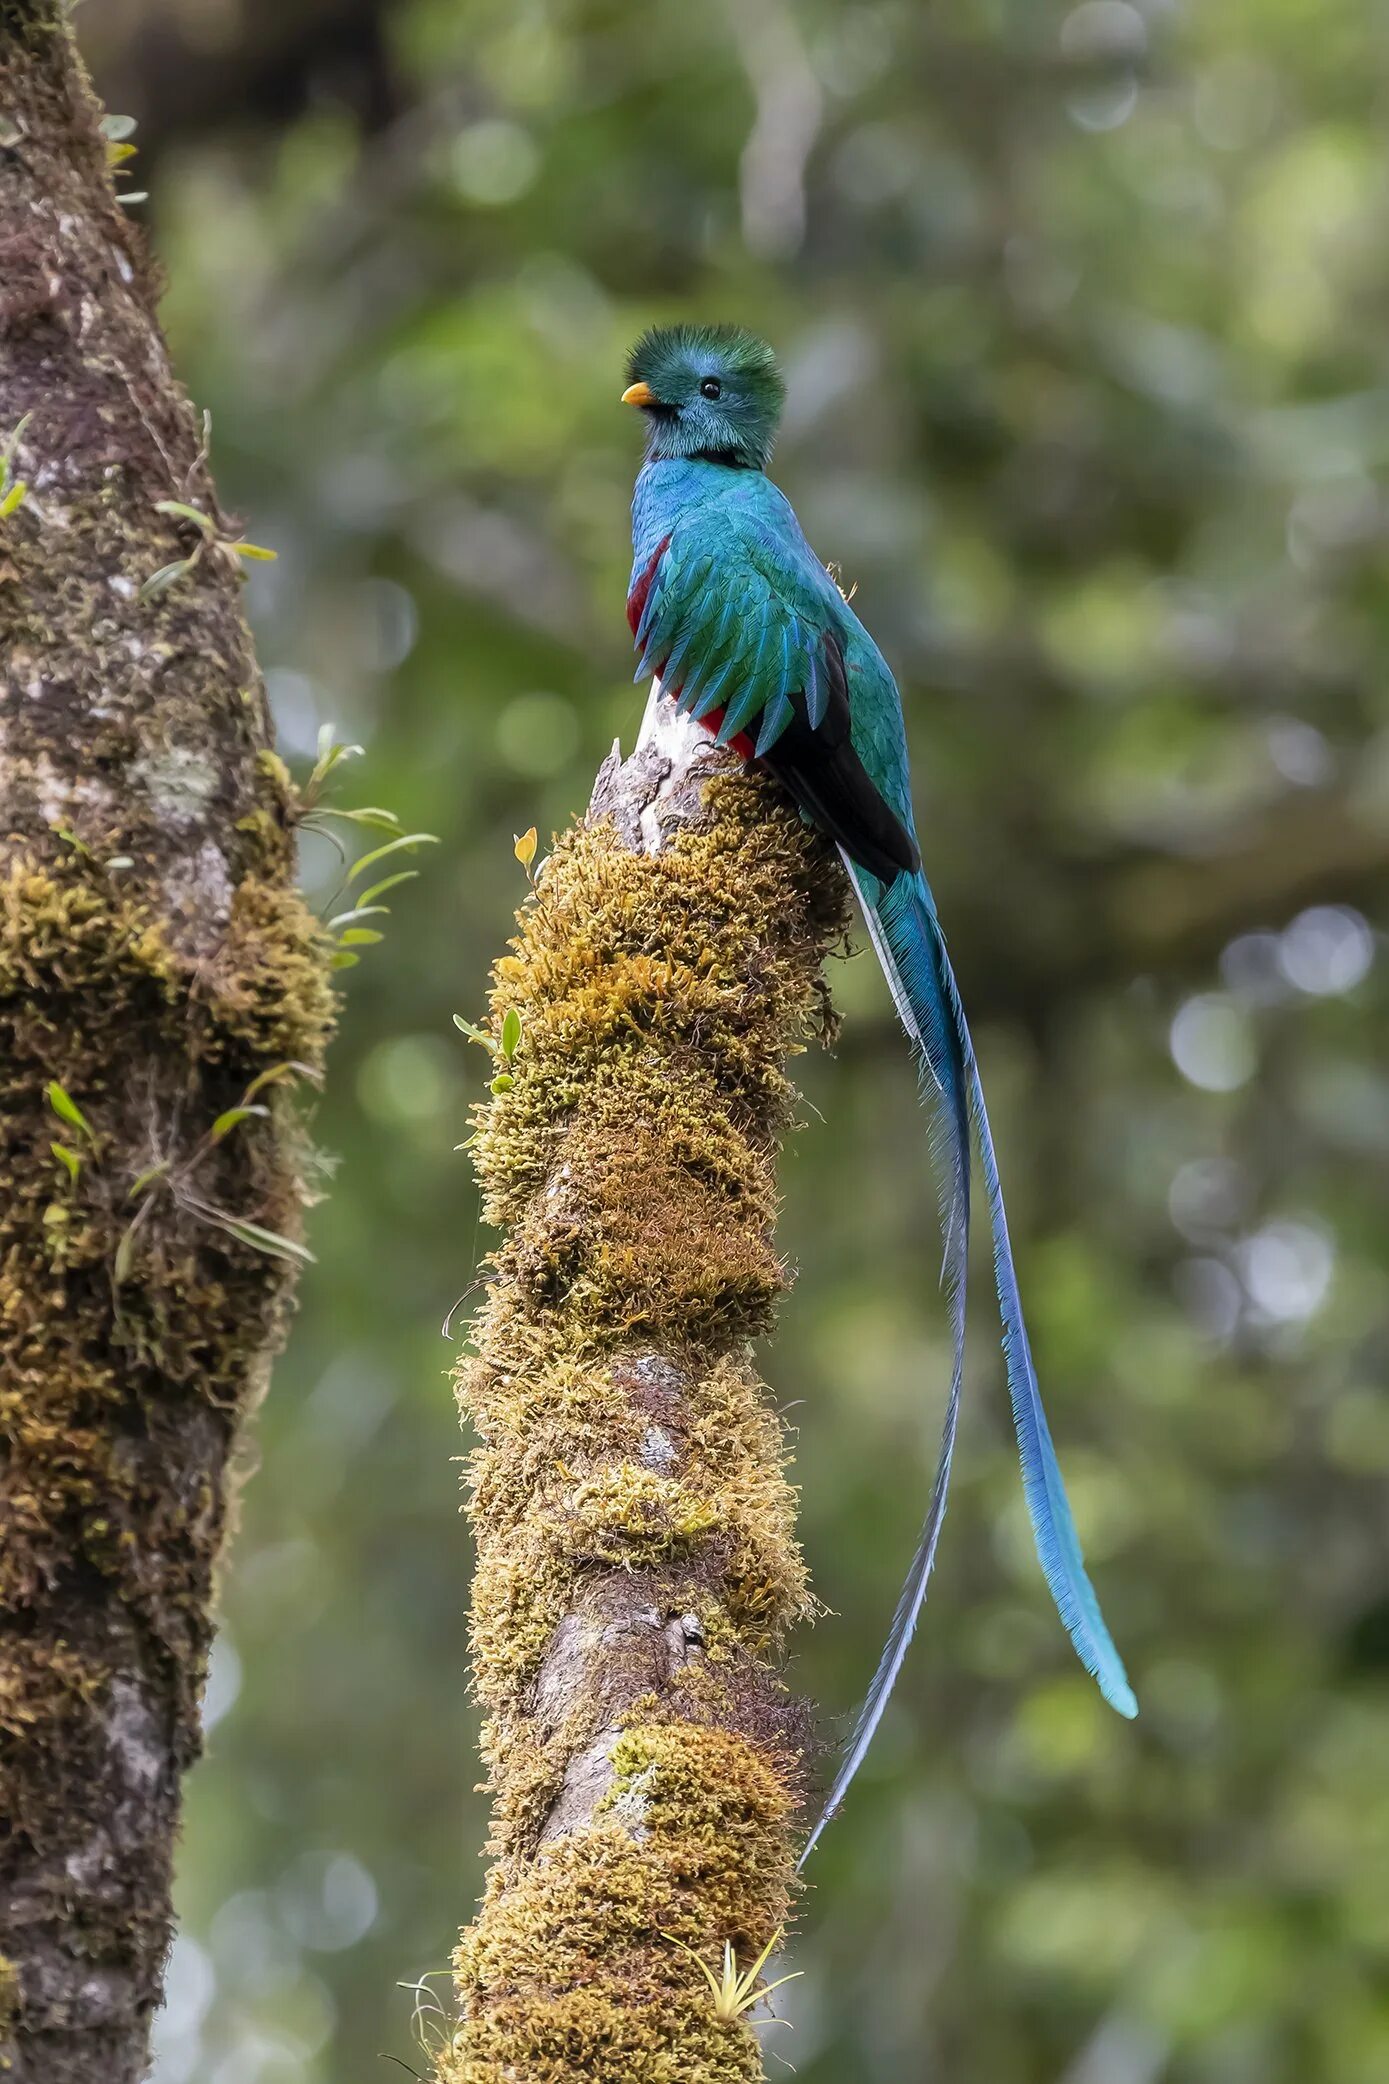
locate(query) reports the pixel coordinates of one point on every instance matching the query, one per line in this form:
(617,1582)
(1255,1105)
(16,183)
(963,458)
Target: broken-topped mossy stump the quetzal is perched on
(638,1564)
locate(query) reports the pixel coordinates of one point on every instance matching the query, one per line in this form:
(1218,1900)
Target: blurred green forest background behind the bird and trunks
(1086,316)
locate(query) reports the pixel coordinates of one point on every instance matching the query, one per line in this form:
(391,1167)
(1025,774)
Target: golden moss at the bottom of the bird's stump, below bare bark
(576,1970)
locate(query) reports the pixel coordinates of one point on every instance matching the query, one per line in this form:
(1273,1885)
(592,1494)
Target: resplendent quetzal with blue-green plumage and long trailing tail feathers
(749,632)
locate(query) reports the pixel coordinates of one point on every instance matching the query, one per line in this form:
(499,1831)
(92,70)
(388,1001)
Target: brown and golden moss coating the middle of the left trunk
(151,1043)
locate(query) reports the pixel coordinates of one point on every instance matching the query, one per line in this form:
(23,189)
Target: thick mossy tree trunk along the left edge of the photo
(155,960)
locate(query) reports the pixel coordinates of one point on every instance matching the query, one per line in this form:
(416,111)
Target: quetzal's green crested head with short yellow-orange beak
(707,391)
